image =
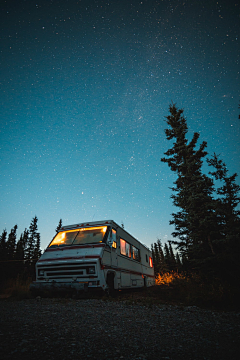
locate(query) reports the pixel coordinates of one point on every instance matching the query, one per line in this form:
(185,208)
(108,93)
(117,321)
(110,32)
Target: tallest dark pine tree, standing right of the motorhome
(195,223)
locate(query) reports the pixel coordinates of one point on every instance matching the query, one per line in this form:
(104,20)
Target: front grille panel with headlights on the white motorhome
(65,271)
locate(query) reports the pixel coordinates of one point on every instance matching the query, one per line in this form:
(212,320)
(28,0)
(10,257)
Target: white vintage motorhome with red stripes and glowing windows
(94,255)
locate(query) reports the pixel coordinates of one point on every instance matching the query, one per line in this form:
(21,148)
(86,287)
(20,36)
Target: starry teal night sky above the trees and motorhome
(84,89)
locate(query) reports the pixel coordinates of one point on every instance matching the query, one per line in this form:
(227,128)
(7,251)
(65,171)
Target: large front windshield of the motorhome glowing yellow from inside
(79,236)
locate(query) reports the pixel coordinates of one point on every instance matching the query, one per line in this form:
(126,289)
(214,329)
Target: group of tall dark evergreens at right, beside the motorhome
(207,223)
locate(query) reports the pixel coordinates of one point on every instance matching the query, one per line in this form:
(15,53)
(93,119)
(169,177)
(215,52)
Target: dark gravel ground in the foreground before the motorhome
(97,329)
